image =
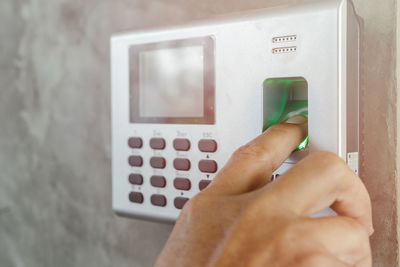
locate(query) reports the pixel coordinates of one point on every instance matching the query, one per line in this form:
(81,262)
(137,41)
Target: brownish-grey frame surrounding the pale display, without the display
(208,117)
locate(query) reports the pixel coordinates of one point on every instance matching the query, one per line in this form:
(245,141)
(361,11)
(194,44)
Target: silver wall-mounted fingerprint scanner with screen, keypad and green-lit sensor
(184,98)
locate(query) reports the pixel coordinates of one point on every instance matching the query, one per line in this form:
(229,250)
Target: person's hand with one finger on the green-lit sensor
(244,219)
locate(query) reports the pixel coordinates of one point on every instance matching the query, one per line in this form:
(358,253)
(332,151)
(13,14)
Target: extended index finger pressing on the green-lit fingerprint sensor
(252,165)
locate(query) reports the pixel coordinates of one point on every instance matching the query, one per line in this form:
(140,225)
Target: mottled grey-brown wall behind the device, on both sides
(55,201)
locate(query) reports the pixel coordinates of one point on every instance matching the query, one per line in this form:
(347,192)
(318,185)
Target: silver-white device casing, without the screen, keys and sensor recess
(247,50)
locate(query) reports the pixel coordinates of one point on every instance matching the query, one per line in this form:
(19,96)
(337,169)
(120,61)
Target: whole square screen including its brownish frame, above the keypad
(173,82)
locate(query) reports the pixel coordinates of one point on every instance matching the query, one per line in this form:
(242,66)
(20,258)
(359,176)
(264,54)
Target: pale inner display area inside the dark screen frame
(171,82)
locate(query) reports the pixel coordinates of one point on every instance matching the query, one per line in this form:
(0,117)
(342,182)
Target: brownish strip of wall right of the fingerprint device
(379,124)
